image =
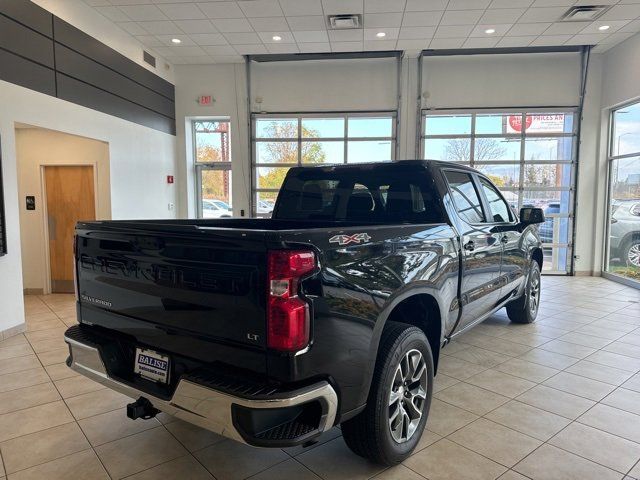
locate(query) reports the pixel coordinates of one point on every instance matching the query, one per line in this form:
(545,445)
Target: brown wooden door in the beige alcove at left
(70,198)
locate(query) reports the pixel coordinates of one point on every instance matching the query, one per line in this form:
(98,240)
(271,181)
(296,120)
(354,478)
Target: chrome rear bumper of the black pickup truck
(202,405)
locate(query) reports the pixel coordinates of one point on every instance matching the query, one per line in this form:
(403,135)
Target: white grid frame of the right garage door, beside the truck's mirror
(520,189)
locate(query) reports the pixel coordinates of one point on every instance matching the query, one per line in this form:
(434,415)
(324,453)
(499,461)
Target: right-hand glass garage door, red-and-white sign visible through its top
(529,155)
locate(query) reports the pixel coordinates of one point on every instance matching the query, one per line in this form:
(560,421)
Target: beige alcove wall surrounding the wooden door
(38,147)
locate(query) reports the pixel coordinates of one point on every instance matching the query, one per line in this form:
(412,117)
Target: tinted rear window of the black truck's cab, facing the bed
(367,195)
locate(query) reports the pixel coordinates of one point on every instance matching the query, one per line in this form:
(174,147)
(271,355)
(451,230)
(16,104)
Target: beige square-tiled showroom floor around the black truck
(559,399)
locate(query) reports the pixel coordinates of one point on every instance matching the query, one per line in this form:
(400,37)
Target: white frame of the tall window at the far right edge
(606,257)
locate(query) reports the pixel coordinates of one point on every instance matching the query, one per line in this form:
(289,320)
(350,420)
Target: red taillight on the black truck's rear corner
(287,314)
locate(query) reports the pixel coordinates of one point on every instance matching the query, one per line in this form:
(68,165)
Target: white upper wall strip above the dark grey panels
(81,16)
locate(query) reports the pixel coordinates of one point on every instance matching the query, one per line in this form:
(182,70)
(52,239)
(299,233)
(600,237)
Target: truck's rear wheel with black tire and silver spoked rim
(369,434)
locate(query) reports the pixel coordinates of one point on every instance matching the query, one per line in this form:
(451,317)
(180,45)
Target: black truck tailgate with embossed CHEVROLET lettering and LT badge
(184,281)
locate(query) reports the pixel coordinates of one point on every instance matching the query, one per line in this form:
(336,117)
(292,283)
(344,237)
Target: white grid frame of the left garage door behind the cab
(346,115)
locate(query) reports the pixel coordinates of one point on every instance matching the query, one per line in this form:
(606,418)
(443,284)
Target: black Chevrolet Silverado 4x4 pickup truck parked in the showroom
(333,311)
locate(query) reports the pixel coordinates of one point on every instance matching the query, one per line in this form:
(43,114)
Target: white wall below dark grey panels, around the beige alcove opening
(140,158)
